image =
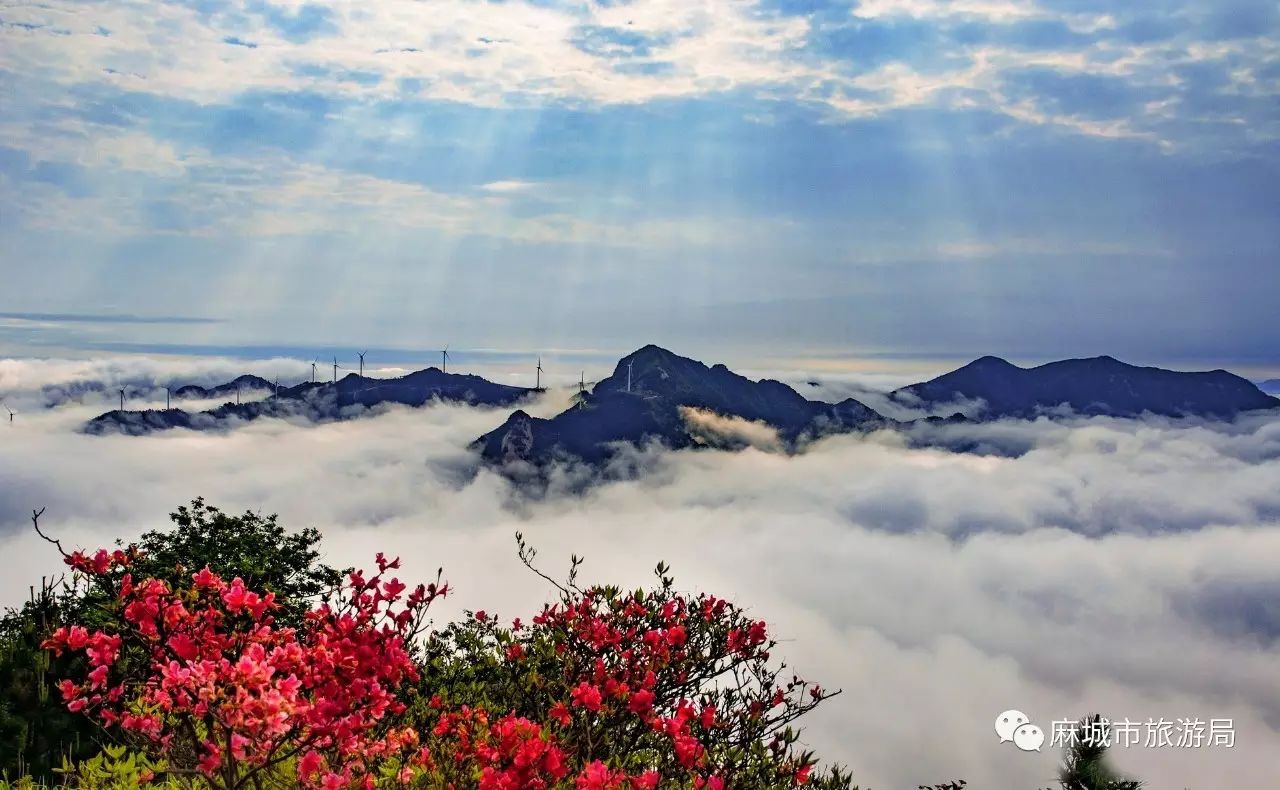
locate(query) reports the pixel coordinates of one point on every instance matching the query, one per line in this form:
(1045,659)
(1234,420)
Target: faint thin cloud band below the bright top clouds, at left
(276,195)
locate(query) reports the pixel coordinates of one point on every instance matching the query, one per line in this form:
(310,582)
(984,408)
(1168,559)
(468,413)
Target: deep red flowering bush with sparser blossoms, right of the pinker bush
(659,686)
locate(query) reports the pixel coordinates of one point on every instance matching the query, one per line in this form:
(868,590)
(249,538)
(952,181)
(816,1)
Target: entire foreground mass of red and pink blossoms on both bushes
(602,691)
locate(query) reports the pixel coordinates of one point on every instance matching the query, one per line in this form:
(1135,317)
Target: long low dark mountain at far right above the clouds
(1098,386)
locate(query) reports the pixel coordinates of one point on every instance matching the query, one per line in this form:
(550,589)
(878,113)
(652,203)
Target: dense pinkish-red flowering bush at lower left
(218,679)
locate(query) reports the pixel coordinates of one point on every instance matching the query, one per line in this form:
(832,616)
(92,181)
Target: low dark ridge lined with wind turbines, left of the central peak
(319,403)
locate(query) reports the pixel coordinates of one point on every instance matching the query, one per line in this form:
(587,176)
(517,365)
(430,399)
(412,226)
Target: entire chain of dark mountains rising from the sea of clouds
(655,395)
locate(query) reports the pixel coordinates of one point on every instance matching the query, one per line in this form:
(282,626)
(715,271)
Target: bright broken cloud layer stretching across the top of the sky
(853,58)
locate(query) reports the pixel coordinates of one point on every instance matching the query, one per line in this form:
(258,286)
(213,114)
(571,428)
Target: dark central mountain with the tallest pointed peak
(662,386)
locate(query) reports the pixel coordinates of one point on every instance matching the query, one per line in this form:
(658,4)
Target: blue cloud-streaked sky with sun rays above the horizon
(815,179)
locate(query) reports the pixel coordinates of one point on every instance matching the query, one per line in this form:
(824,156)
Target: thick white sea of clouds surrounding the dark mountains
(1069,567)
